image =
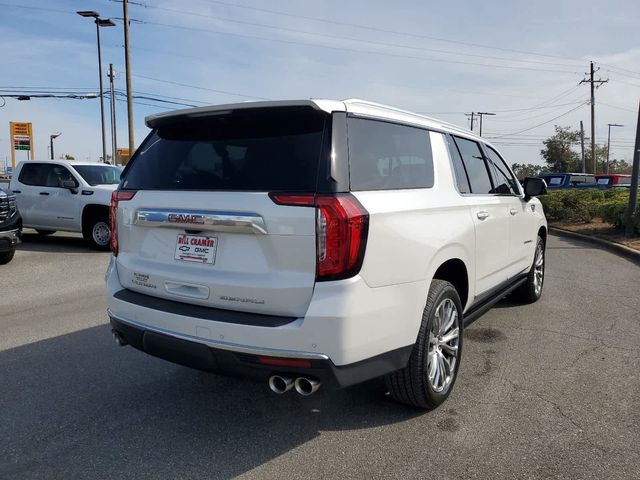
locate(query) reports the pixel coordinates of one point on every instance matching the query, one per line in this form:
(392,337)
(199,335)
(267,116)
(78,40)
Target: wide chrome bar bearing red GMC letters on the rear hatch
(210,220)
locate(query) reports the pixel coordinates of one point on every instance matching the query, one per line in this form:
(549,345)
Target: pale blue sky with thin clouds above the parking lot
(522,61)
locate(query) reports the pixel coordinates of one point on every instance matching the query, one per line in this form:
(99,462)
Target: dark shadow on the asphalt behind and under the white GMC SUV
(78,406)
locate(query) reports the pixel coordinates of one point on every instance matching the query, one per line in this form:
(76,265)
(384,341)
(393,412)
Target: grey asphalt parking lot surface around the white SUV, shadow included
(550,390)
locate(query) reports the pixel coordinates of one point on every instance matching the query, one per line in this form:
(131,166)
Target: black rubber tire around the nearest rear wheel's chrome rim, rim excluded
(412,385)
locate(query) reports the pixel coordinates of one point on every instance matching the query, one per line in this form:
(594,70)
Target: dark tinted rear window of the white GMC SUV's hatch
(257,150)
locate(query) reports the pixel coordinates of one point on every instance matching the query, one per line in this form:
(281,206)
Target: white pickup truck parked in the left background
(67,196)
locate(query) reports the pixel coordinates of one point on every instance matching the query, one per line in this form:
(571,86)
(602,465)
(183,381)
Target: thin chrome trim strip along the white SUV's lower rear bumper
(233,347)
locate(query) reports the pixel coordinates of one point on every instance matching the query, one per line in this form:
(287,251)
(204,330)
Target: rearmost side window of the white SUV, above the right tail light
(385,156)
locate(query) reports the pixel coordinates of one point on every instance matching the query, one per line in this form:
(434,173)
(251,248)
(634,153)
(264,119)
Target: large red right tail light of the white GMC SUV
(342,224)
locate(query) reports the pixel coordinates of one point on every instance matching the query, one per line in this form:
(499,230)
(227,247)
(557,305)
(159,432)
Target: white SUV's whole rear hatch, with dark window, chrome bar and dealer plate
(200,226)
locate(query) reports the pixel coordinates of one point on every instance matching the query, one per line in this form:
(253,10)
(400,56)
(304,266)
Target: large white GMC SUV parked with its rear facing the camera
(318,242)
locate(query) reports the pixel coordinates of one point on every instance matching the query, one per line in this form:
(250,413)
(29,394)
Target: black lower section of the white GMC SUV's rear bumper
(244,361)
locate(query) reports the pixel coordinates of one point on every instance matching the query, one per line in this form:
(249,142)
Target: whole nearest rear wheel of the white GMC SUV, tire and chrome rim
(429,376)
